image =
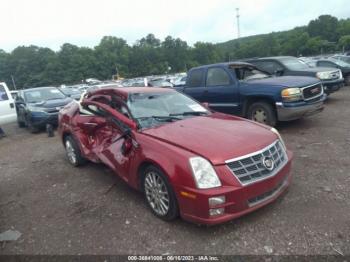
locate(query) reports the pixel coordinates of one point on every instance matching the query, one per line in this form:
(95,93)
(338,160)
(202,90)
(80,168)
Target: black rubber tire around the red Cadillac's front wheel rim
(173,210)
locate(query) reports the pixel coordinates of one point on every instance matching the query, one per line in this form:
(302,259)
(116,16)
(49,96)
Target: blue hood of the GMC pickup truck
(286,81)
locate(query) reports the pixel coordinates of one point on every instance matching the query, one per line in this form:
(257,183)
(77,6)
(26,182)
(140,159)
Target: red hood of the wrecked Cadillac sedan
(216,137)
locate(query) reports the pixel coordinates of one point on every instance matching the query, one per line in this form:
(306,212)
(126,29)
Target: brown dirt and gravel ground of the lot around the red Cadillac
(60,209)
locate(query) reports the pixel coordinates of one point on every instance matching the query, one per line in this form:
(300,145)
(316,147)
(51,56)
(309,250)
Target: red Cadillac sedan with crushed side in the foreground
(205,166)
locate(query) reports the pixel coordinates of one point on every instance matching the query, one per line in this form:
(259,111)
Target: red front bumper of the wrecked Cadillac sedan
(240,200)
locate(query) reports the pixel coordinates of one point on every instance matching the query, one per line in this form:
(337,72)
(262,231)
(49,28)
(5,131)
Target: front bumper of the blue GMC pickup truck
(293,111)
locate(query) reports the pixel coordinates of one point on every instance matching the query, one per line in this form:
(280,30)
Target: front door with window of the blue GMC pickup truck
(222,90)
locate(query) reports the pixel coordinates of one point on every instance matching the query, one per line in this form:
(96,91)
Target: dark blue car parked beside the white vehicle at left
(39,106)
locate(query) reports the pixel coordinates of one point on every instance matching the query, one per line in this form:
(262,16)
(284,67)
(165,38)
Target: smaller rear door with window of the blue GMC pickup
(195,85)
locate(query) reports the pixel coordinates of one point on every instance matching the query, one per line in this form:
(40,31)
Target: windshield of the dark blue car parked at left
(43,94)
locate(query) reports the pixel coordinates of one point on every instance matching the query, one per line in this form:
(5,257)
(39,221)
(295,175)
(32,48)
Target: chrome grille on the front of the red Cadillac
(250,168)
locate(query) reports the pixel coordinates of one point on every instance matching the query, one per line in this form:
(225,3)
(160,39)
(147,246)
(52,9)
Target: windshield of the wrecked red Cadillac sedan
(152,109)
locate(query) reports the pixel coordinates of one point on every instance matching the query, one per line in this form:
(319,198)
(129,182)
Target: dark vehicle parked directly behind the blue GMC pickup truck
(331,78)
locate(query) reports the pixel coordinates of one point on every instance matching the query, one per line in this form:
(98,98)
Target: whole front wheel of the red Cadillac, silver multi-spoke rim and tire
(159,194)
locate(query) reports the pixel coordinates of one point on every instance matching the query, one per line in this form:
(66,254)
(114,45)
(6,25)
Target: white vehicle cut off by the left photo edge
(7,105)
